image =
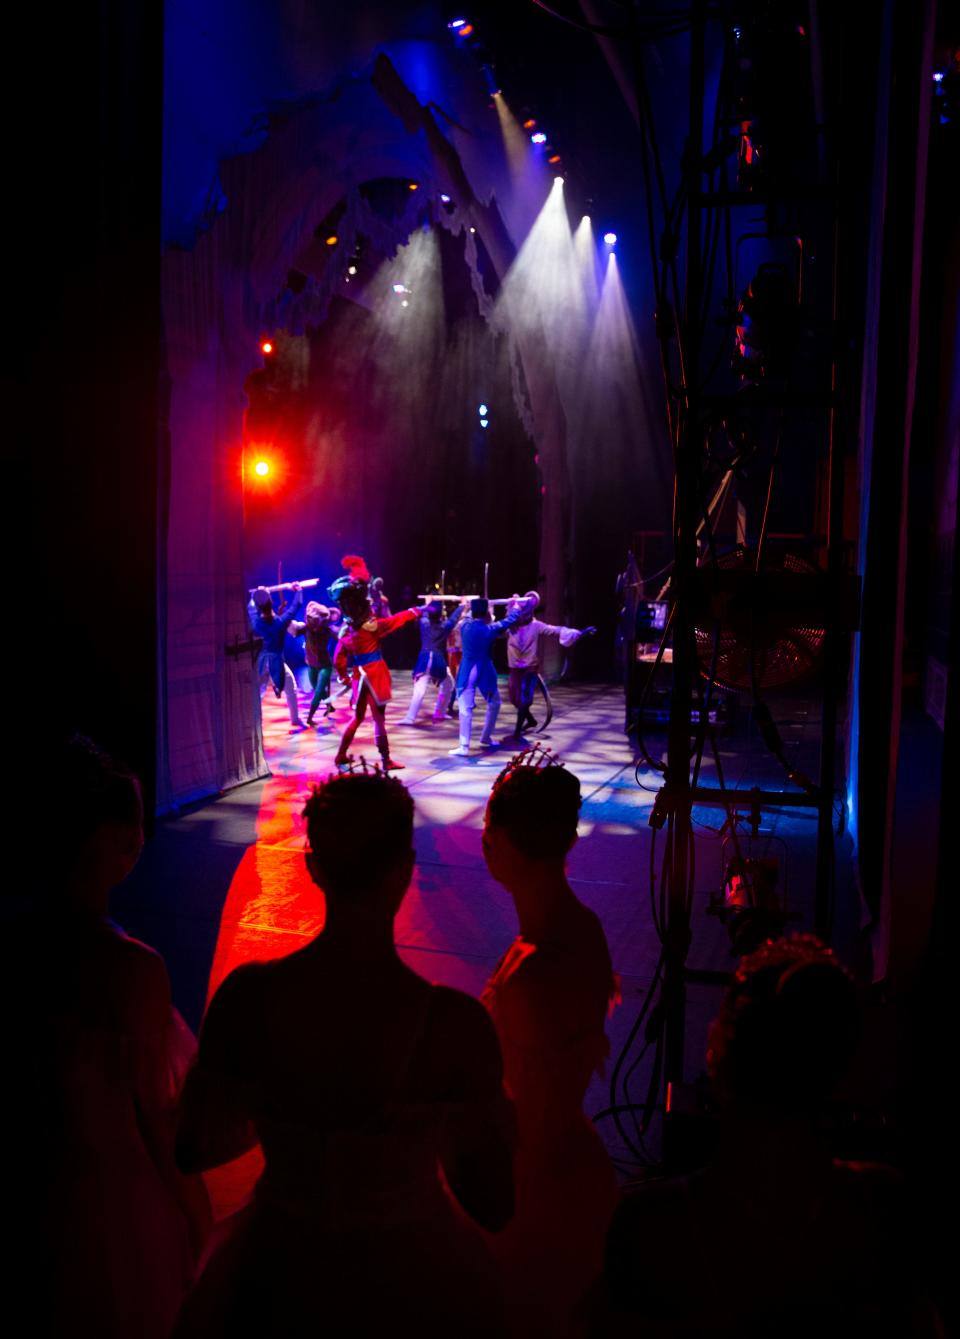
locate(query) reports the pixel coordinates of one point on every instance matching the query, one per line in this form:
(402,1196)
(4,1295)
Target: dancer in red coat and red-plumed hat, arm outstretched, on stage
(359,658)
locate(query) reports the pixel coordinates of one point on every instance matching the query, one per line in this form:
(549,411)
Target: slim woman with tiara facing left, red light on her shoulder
(550,1000)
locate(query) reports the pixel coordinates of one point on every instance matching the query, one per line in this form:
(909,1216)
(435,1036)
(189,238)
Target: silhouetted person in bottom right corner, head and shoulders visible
(775,1238)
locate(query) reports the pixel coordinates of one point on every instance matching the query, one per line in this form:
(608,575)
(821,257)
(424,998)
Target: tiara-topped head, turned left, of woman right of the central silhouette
(531,819)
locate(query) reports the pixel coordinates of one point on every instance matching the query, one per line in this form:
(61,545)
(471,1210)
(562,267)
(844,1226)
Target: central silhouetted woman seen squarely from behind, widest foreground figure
(377,1099)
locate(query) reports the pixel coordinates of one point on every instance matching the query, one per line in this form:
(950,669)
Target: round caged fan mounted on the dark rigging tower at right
(776,611)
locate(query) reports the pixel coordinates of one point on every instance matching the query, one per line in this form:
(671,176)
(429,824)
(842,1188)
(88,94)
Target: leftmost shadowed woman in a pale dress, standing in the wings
(93,1069)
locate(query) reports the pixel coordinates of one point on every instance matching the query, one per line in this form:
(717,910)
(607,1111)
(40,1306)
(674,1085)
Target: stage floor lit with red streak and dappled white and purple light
(227,883)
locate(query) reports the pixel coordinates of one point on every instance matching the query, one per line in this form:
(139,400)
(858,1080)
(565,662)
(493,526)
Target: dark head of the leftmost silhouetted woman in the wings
(101,824)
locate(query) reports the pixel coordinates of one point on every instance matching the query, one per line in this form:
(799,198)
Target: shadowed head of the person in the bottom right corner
(788,1028)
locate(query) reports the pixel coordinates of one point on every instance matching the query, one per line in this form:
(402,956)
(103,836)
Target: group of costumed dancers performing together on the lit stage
(456,654)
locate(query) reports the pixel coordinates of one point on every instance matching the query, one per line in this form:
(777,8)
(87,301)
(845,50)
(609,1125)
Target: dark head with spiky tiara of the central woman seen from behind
(361,832)
